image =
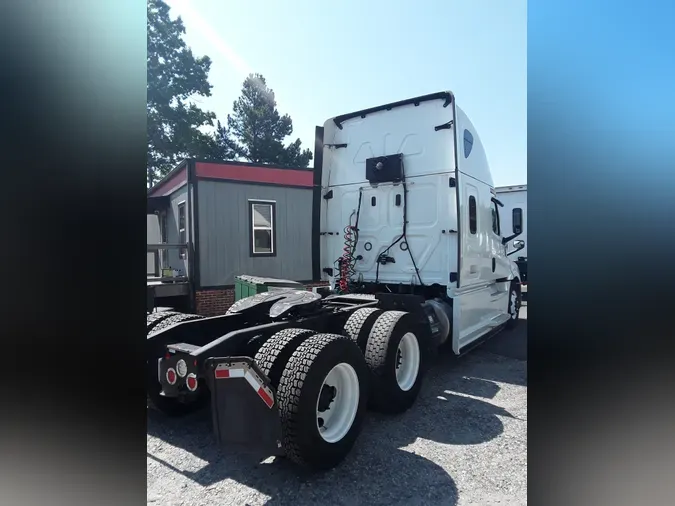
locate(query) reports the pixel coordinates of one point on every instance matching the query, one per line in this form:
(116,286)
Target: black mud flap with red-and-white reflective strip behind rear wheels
(243,406)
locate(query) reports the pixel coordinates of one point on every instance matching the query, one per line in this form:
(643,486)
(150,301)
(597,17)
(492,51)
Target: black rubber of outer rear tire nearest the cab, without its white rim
(382,357)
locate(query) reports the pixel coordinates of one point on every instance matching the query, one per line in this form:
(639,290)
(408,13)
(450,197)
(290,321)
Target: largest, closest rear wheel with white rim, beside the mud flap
(322,396)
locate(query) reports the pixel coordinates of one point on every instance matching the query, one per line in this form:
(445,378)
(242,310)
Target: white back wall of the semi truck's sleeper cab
(418,131)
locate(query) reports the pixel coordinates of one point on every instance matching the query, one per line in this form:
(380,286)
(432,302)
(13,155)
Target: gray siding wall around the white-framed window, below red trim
(225,235)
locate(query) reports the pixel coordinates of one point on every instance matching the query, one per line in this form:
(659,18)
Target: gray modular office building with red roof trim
(232,218)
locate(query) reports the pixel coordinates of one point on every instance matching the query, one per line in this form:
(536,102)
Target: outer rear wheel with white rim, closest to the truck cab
(396,359)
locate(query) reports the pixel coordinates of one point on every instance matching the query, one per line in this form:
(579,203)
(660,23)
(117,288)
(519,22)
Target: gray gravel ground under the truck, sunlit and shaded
(463,443)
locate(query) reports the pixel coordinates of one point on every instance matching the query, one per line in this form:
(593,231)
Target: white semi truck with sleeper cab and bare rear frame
(413,244)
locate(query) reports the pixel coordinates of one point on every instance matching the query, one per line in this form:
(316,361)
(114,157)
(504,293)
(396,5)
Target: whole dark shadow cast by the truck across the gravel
(453,409)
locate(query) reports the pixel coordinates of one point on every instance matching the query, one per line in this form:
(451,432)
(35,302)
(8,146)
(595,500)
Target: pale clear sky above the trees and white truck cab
(323,59)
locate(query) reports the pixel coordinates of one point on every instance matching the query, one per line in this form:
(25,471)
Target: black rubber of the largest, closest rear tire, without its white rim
(299,389)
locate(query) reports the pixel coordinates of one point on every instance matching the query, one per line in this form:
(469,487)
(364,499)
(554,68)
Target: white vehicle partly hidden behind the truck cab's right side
(514,198)
